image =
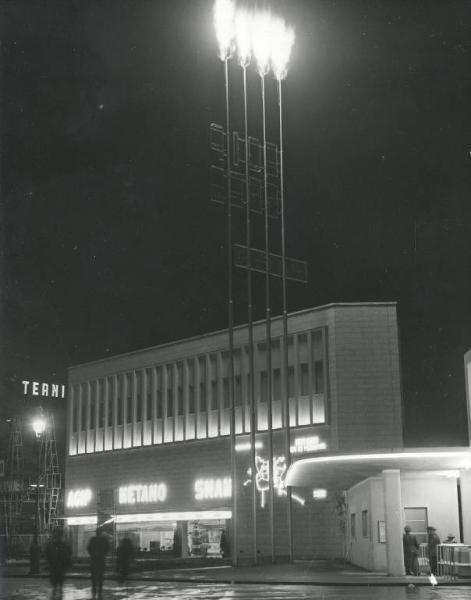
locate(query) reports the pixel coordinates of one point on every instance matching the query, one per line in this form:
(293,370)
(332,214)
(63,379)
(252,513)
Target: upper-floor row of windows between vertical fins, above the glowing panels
(198,384)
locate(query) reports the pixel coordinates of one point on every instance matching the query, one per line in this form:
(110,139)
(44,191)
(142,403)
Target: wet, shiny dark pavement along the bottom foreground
(38,589)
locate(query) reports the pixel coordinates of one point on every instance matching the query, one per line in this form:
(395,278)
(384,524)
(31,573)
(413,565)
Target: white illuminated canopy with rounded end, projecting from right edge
(341,471)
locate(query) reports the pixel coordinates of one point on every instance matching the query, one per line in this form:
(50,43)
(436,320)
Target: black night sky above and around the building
(110,241)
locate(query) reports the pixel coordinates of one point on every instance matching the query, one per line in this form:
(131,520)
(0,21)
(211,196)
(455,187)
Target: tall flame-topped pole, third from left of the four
(268,328)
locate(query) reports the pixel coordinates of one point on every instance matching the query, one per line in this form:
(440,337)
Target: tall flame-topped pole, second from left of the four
(251,386)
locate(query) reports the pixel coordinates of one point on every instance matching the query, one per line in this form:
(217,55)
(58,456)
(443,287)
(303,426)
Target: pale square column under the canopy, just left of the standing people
(393,521)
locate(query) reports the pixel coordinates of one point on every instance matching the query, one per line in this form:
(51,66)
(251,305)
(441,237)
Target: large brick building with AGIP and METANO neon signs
(148,433)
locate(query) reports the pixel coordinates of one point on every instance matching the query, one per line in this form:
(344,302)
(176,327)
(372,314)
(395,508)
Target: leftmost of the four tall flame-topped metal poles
(230,311)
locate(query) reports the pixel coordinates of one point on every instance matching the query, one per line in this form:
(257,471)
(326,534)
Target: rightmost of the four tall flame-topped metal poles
(286,416)
